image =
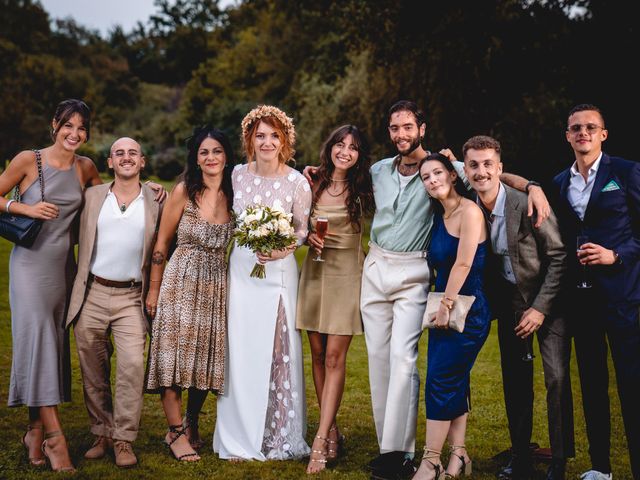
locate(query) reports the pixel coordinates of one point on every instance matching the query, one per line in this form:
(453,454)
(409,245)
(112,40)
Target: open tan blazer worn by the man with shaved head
(94,198)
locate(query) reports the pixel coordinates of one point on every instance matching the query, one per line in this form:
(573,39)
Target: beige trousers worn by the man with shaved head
(116,311)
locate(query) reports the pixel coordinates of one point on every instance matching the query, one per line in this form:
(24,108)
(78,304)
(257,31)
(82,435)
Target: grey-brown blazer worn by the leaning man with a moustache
(537,254)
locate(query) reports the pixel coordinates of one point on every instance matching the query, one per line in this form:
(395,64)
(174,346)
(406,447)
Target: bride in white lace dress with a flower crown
(262,414)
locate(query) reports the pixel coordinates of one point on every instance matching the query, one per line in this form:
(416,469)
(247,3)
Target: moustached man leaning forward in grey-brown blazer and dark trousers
(523,282)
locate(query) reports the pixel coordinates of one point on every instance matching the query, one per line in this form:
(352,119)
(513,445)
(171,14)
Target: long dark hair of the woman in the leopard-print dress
(192,175)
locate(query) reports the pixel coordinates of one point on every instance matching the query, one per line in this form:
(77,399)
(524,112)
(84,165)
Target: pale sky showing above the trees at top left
(103,15)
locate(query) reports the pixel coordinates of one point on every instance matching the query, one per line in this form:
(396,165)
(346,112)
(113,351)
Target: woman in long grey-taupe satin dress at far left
(41,278)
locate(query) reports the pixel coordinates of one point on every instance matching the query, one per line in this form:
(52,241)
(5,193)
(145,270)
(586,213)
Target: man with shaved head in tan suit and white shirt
(117,231)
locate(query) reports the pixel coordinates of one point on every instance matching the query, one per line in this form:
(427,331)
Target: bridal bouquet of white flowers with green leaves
(264,229)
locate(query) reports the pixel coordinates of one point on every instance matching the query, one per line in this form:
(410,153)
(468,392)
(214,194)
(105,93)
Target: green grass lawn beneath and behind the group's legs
(487,431)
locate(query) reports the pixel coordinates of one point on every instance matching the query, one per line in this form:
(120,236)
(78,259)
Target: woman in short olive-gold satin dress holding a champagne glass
(329,292)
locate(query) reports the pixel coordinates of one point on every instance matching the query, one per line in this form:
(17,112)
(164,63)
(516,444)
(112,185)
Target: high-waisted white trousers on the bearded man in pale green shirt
(393,300)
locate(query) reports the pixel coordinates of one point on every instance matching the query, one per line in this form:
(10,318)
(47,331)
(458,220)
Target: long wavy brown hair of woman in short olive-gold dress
(360,190)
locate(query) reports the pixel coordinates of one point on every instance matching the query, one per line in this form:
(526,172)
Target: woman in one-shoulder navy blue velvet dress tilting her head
(457,253)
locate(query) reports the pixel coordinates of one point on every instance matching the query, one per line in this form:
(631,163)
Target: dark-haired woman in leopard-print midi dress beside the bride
(188,300)
